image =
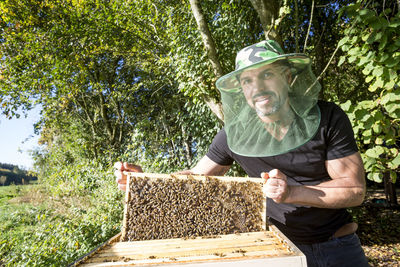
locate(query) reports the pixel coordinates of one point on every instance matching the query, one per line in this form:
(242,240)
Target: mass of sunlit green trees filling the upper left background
(105,77)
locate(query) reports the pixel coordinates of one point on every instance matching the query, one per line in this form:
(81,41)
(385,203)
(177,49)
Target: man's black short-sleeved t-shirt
(304,165)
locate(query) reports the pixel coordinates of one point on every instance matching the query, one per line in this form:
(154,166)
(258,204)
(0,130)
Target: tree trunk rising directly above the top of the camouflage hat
(268,12)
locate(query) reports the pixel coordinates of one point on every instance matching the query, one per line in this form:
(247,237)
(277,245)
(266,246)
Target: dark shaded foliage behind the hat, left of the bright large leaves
(320,44)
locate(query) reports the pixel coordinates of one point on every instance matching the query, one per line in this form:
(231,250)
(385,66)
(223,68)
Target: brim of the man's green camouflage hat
(230,82)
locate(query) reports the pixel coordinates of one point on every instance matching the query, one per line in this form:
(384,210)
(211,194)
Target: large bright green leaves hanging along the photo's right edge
(371,42)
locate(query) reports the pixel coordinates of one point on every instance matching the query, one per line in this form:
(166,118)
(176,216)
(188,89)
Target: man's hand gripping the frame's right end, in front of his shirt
(275,185)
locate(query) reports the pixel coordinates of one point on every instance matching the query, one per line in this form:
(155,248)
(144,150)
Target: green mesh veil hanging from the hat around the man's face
(248,134)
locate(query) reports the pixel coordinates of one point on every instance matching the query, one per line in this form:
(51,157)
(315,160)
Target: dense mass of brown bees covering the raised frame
(188,208)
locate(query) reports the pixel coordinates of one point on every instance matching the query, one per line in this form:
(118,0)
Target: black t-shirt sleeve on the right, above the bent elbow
(340,137)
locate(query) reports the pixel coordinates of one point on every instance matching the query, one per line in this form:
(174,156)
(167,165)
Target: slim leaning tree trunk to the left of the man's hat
(211,50)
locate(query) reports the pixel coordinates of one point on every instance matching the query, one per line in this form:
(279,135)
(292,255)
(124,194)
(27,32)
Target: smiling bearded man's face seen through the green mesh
(266,88)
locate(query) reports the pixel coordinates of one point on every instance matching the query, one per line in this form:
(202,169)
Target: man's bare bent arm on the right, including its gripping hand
(346,189)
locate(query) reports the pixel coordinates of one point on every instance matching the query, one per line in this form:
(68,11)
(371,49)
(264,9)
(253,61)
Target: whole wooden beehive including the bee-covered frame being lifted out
(157,234)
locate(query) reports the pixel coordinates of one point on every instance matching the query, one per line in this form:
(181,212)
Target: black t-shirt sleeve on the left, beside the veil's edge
(219,151)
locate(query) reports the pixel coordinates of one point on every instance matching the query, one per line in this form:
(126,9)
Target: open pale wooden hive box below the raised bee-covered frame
(266,248)
